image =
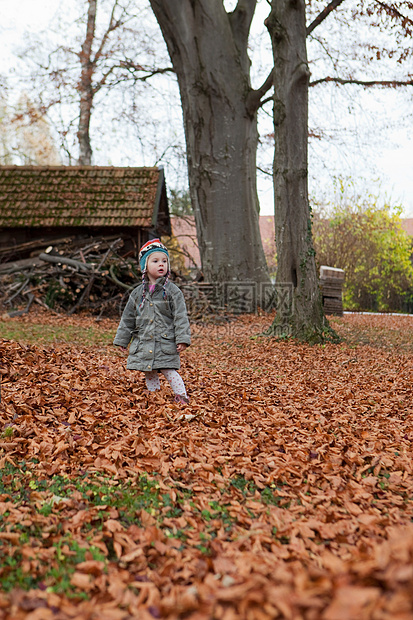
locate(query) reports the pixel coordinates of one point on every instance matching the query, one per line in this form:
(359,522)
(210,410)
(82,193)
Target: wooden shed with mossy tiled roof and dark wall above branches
(47,203)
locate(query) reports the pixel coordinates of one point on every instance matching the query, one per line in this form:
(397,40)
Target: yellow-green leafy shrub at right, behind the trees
(368,242)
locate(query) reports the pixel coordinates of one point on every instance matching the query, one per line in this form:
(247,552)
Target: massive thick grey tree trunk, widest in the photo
(208,49)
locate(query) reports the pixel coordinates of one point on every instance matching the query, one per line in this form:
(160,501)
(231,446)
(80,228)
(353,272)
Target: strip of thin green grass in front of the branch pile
(33,333)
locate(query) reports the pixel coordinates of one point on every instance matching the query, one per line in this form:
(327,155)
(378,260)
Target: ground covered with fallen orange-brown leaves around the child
(288,495)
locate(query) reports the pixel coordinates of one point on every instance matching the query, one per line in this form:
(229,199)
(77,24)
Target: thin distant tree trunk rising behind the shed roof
(86,88)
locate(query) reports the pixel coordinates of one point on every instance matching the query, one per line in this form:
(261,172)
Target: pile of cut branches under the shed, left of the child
(68,276)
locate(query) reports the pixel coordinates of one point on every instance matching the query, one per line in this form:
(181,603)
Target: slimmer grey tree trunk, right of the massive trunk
(303,316)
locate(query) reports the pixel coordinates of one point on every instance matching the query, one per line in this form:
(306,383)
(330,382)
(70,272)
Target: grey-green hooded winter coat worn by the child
(156,329)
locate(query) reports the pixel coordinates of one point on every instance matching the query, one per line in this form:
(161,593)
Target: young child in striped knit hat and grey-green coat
(156,320)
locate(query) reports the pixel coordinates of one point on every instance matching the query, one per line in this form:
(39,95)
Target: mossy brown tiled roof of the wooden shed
(79,196)
